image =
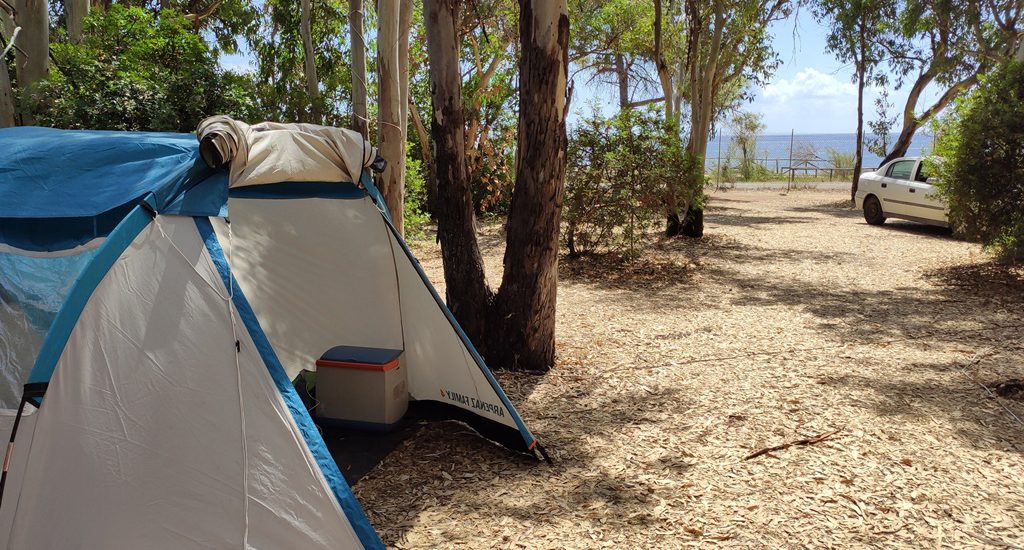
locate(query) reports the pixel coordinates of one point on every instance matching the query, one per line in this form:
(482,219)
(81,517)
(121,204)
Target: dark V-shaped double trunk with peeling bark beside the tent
(516,328)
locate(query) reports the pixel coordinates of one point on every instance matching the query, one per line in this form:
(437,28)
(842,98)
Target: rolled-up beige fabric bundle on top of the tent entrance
(274,153)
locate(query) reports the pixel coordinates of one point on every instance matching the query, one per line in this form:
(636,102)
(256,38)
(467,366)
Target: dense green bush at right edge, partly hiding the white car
(982,143)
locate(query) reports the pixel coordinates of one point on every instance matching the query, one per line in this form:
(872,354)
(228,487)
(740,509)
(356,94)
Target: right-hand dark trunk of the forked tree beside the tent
(524,318)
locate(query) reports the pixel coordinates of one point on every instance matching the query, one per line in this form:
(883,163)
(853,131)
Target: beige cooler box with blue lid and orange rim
(362,388)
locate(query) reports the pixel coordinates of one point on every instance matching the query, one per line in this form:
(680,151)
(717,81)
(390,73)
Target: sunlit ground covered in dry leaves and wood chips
(791,319)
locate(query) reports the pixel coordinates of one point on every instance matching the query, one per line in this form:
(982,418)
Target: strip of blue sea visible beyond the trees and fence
(777,148)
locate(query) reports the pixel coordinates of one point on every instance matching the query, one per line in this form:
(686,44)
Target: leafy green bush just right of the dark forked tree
(620,174)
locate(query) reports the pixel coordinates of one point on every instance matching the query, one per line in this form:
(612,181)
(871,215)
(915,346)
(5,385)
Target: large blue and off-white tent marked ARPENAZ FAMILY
(148,348)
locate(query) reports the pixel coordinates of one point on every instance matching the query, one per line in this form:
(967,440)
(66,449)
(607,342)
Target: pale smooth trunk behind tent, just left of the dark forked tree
(392,130)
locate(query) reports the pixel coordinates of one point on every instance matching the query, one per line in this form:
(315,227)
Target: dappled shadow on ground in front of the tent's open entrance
(589,420)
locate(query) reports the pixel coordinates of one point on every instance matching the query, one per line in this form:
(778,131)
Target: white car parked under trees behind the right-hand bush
(901,189)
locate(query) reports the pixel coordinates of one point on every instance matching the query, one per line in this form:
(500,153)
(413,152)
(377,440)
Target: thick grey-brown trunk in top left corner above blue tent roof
(33,62)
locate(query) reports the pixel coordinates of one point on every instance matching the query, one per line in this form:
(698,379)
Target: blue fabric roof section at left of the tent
(50,174)
